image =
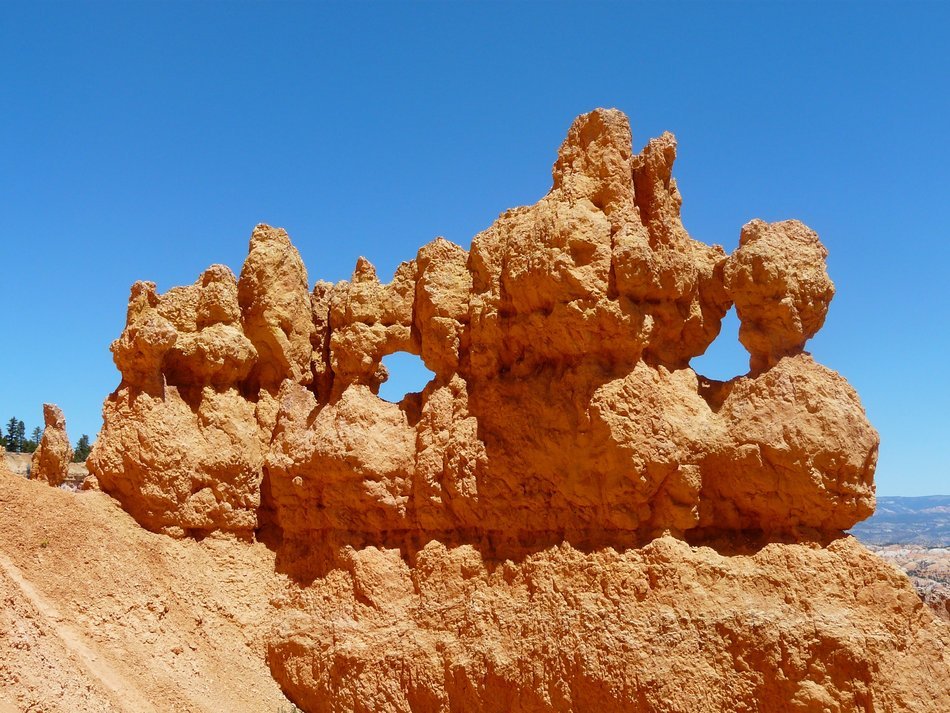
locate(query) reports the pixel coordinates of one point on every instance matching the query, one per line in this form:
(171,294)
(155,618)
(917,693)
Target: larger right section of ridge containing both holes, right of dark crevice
(563,400)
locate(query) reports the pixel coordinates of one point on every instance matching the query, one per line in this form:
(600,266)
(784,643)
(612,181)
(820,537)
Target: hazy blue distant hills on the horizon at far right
(923,521)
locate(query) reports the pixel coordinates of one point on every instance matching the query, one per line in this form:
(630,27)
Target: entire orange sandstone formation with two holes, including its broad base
(568,517)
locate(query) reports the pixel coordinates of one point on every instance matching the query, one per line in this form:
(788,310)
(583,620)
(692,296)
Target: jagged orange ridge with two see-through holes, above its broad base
(562,397)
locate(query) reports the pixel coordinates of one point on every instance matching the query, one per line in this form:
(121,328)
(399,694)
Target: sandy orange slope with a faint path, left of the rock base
(98,614)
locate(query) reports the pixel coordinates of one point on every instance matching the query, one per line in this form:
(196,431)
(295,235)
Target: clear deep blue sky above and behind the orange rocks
(145,140)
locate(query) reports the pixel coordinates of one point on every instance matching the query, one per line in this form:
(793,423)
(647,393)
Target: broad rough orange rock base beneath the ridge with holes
(667,627)
